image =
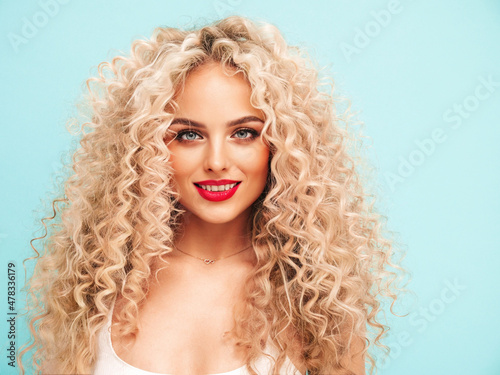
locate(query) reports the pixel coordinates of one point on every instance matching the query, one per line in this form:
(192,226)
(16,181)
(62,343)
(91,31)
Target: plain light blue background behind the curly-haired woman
(414,68)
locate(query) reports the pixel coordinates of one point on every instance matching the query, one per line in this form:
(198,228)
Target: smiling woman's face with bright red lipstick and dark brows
(215,135)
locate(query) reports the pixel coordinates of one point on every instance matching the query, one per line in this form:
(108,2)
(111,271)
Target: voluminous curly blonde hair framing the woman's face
(322,261)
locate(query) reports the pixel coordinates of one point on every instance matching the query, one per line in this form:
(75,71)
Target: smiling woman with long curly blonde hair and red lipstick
(215,219)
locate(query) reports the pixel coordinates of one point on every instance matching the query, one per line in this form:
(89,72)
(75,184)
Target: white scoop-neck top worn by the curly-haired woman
(108,361)
